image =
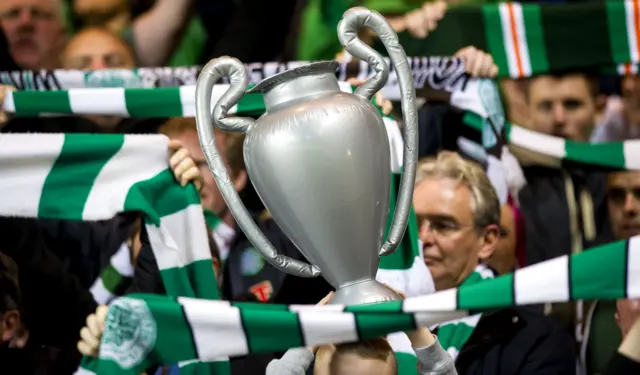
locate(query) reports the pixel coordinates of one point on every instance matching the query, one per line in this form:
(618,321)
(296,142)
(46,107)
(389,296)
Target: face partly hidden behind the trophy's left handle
(210,195)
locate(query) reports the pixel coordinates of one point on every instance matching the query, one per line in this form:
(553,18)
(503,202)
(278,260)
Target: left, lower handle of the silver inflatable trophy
(235,70)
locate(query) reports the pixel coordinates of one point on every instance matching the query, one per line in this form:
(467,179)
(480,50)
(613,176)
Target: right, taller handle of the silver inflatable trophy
(354,20)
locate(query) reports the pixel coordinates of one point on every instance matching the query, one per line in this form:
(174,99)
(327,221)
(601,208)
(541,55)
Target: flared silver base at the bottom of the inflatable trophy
(364,292)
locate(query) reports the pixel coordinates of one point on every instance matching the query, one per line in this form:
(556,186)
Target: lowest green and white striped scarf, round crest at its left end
(144,329)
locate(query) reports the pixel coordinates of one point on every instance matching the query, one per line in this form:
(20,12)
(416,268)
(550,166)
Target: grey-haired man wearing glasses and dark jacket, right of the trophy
(459,217)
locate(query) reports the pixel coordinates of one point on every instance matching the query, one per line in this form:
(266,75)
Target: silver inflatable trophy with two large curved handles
(319,159)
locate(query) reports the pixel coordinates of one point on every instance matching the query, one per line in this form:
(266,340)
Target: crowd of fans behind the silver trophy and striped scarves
(47,267)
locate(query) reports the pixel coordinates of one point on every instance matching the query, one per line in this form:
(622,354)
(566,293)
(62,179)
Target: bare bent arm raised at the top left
(157,32)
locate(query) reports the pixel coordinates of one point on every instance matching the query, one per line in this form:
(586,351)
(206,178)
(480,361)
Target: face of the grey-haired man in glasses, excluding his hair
(451,245)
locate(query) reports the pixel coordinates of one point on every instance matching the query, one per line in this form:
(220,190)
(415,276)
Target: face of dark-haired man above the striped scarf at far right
(563,107)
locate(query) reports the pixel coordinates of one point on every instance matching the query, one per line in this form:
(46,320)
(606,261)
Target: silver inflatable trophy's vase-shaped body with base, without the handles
(319,161)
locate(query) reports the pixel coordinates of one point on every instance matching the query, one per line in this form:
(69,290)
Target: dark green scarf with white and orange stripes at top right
(530,39)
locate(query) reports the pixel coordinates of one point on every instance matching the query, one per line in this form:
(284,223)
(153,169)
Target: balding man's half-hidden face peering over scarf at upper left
(95,49)
